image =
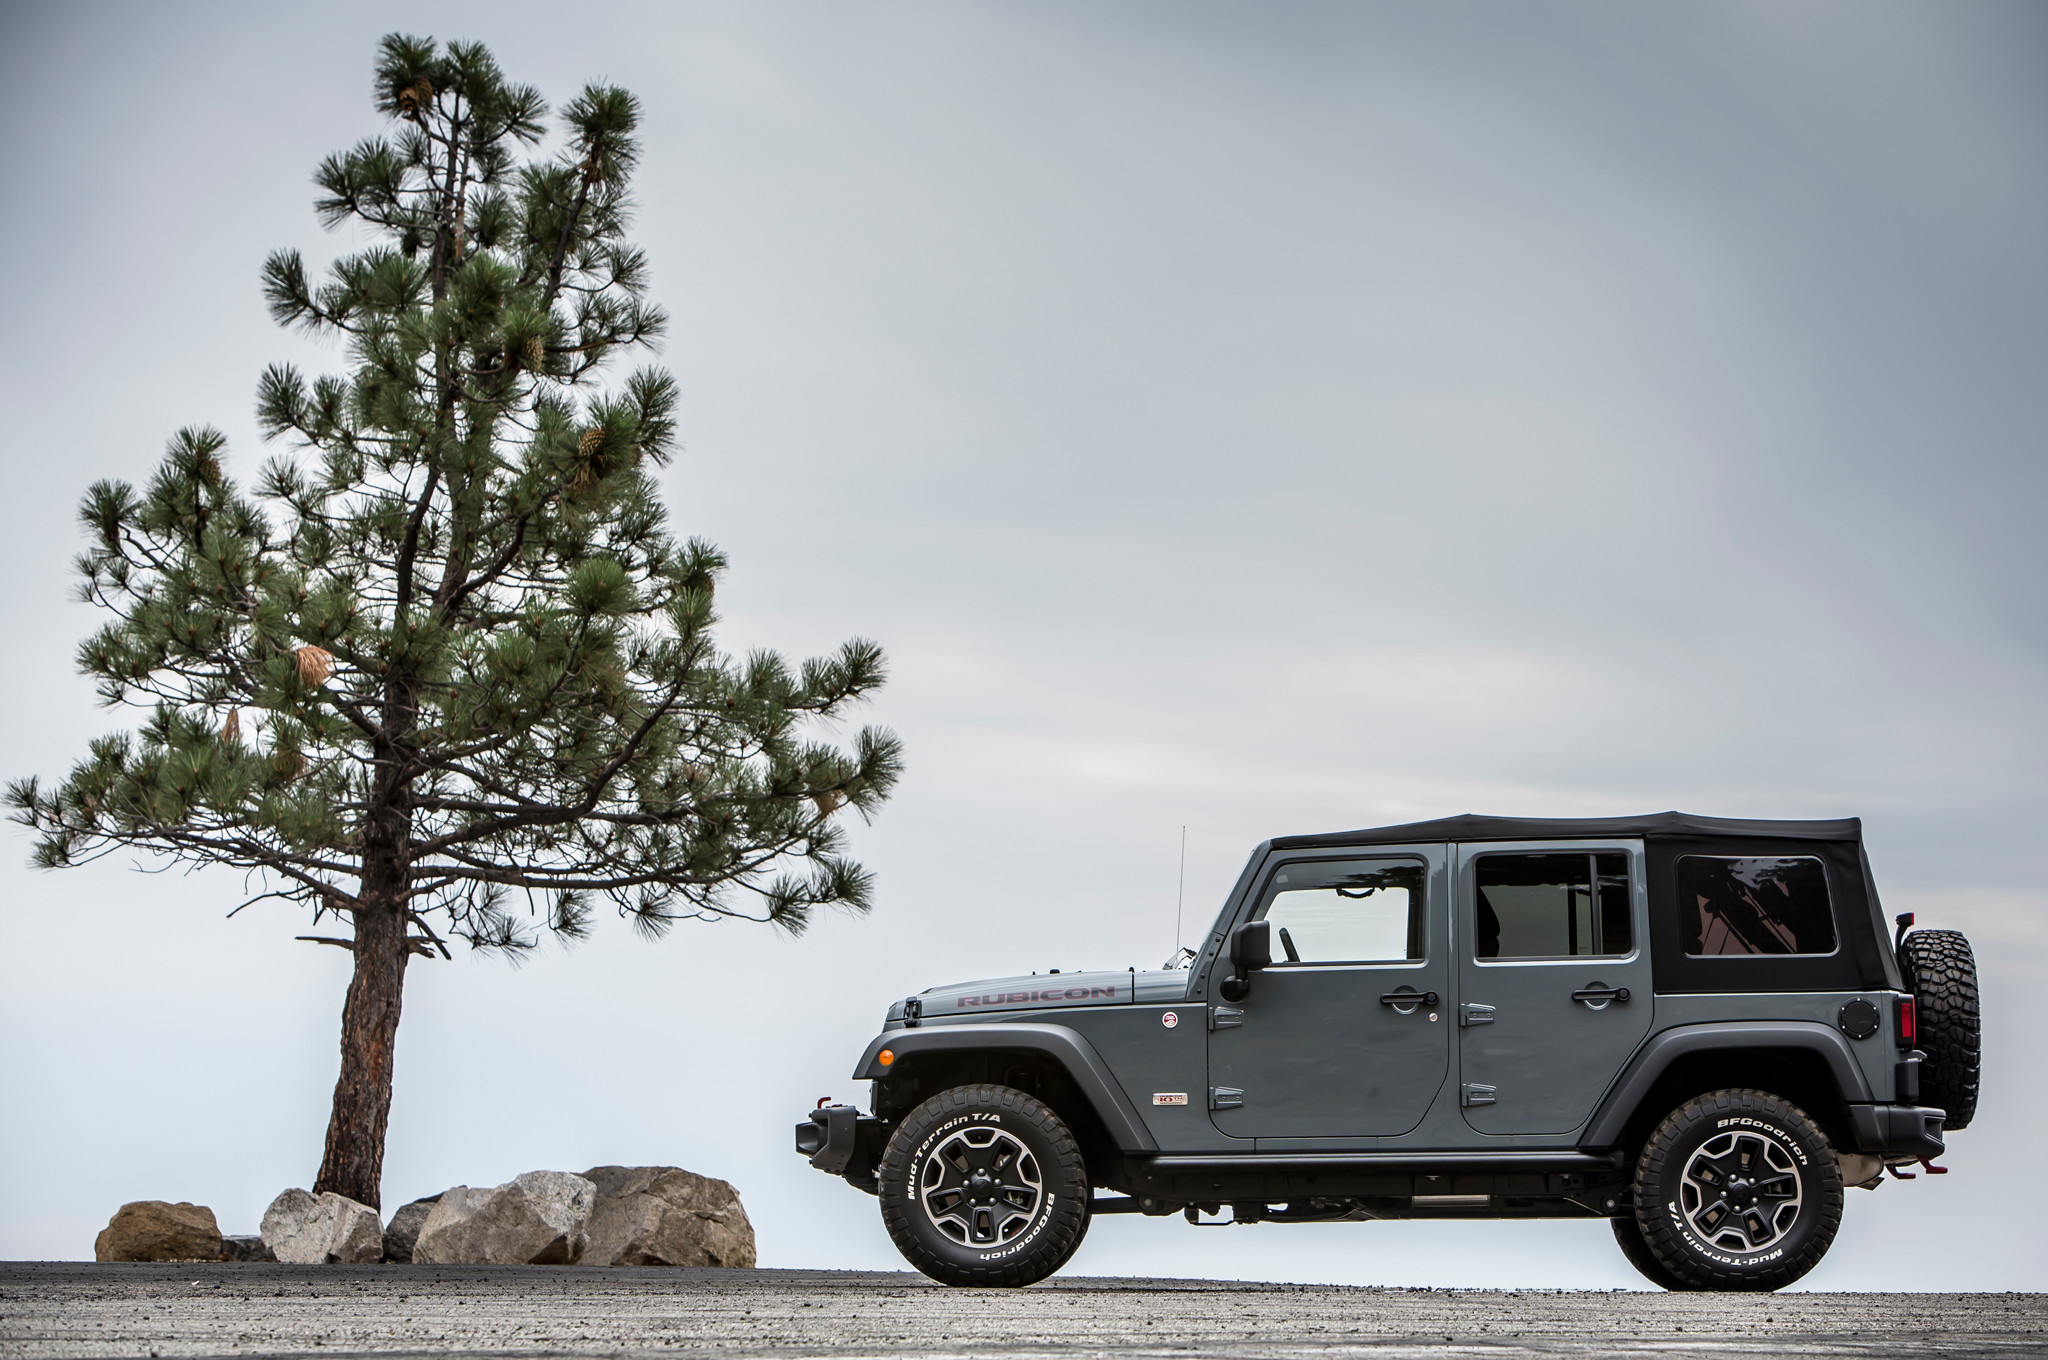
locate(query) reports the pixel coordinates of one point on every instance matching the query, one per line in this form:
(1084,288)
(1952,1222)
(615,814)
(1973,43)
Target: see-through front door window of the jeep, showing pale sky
(1349,912)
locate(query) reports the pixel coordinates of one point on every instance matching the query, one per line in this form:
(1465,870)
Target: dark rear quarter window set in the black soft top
(1754,906)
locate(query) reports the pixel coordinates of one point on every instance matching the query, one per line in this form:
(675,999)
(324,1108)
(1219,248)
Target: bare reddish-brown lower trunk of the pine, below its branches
(353,1164)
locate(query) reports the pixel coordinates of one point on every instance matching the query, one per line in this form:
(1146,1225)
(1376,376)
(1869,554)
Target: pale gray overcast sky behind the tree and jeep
(1258,419)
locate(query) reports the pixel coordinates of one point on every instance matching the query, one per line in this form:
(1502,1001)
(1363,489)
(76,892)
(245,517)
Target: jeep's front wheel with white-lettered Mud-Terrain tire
(984,1125)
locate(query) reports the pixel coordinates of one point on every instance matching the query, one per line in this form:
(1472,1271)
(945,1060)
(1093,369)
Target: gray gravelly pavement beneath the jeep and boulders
(73,1310)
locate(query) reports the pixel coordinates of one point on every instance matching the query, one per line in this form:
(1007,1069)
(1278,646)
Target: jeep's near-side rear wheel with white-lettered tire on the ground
(1775,1168)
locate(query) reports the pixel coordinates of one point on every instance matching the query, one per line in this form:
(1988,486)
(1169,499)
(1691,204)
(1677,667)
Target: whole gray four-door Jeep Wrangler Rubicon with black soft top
(1697,1029)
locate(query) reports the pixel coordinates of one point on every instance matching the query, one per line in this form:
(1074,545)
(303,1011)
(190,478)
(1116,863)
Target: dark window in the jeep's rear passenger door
(1553,906)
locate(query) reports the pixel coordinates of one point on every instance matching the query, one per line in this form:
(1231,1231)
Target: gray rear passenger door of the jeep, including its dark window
(1553,980)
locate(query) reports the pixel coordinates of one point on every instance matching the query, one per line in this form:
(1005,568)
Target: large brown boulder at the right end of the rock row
(663,1216)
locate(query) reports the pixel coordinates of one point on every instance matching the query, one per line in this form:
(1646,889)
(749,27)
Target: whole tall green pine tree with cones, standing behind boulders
(445,675)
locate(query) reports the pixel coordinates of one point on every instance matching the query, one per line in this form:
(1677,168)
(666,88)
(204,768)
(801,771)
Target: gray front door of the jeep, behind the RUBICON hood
(1347,1033)
